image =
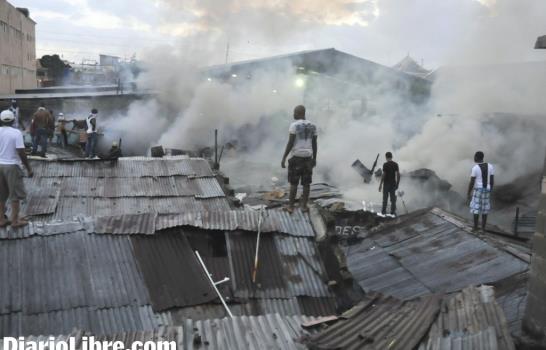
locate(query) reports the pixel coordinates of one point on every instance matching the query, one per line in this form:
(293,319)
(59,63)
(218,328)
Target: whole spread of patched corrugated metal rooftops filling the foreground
(111,252)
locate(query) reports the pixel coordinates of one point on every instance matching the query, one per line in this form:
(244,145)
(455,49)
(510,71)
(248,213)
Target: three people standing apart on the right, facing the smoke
(302,146)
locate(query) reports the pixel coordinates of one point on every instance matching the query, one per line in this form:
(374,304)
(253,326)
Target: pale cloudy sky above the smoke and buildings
(436,31)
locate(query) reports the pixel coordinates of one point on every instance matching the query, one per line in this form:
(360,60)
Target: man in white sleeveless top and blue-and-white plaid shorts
(482,178)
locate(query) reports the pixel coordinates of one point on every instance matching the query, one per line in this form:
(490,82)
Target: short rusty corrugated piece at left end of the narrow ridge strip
(126,224)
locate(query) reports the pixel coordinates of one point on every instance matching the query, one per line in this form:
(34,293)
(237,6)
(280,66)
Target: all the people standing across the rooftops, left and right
(302,146)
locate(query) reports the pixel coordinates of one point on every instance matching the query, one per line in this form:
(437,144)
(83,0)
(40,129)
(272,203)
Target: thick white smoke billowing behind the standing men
(487,106)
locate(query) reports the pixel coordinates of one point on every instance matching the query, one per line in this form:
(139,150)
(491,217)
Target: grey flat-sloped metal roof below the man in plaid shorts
(427,253)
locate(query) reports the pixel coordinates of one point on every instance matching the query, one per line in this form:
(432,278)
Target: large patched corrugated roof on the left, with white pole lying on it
(111,249)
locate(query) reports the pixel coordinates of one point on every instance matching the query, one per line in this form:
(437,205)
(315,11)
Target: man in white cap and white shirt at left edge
(12,153)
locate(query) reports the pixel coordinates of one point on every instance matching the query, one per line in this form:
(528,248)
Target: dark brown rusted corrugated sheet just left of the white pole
(171,271)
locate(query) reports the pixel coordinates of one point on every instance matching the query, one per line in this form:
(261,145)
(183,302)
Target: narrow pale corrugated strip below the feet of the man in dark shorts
(297,224)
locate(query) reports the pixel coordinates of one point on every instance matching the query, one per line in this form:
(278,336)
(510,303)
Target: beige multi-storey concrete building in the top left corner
(17,49)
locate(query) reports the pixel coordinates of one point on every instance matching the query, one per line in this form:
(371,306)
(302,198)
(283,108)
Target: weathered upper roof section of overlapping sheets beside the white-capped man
(63,190)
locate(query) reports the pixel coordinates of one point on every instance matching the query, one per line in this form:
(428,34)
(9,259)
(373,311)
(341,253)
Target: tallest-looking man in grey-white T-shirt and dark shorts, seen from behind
(302,143)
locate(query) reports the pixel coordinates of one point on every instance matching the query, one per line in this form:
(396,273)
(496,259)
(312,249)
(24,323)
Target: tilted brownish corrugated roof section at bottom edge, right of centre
(379,322)
